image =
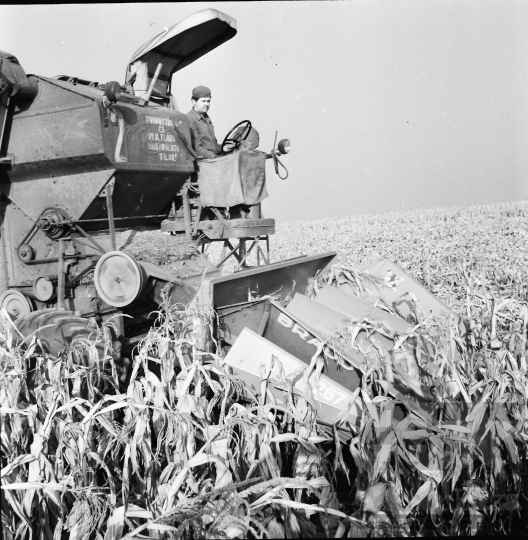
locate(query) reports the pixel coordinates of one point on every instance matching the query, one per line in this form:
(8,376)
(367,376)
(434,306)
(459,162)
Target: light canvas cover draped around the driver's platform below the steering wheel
(238,178)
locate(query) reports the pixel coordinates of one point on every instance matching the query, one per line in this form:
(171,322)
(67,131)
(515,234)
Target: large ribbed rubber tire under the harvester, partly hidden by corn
(66,327)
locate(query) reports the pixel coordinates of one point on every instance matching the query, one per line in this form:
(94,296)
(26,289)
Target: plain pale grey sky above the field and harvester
(388,104)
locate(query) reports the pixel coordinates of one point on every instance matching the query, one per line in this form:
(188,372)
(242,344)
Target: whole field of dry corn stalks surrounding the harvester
(171,444)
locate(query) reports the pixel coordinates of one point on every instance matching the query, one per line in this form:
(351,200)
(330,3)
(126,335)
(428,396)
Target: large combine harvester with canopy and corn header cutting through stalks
(81,161)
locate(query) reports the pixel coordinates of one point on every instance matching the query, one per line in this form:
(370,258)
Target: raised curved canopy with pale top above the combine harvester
(177,47)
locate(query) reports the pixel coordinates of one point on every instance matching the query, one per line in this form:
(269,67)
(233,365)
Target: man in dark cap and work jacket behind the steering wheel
(201,126)
